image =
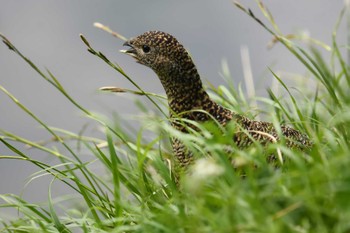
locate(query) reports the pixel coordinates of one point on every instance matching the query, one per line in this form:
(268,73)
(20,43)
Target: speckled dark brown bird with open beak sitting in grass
(188,99)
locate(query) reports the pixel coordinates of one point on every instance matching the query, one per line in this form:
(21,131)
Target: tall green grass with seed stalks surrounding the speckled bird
(310,193)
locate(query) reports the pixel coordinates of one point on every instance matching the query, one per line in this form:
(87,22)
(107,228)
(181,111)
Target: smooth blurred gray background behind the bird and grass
(48,33)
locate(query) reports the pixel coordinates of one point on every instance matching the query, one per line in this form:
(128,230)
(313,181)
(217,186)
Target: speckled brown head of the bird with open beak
(160,51)
